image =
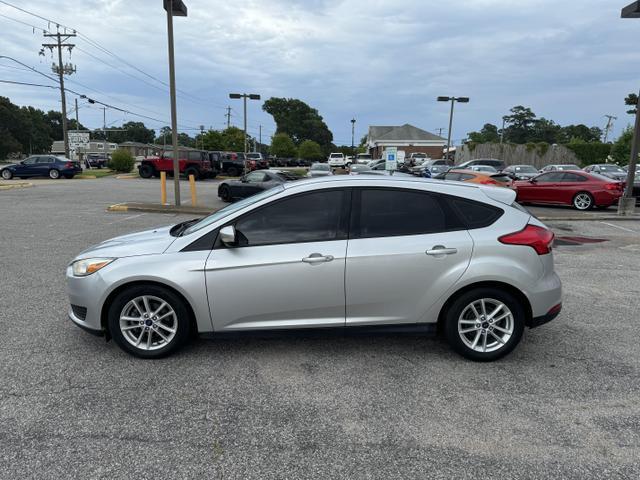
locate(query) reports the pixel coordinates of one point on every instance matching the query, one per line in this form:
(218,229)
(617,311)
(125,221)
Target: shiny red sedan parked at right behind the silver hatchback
(582,190)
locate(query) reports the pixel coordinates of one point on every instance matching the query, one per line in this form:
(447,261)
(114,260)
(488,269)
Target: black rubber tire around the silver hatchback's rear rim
(460,304)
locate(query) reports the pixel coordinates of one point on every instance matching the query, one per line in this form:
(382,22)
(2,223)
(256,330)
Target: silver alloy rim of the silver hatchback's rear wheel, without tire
(485,325)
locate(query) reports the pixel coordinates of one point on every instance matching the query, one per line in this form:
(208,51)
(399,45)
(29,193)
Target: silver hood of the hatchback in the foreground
(149,242)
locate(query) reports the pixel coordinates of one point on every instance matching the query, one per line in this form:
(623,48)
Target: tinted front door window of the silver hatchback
(312,217)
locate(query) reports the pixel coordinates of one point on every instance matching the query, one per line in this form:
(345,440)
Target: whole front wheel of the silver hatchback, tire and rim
(149,321)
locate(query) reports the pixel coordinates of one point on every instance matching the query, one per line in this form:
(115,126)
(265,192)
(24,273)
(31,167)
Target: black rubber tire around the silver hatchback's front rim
(183,320)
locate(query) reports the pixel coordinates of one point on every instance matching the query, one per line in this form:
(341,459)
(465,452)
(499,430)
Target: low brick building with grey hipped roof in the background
(406,137)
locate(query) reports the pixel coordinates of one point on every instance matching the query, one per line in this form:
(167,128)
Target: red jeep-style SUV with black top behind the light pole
(191,162)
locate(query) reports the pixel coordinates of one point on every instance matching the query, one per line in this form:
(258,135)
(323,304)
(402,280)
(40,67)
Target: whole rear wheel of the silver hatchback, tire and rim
(484,324)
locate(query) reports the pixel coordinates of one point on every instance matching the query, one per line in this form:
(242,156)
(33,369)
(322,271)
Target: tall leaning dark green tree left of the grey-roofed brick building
(299,121)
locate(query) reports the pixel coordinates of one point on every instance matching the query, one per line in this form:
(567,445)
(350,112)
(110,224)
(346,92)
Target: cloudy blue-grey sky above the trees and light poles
(382,62)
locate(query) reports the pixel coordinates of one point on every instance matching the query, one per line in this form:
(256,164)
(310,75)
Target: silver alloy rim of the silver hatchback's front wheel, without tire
(148,322)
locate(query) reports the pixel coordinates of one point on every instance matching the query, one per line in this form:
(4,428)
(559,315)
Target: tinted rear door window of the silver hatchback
(391,212)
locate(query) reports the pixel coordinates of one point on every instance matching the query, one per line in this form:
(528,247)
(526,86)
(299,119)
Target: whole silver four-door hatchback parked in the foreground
(339,252)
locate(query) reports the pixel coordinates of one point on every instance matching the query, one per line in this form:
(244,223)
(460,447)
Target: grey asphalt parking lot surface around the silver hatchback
(565,404)
